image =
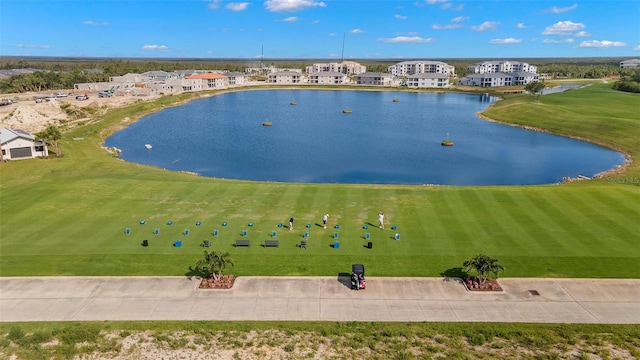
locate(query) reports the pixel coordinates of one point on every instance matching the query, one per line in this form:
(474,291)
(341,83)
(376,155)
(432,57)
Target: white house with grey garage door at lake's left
(19,144)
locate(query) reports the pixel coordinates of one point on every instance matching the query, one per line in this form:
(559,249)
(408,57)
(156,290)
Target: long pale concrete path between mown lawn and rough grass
(318,299)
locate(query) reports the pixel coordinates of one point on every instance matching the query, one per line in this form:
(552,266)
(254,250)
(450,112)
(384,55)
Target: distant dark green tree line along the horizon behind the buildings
(63,73)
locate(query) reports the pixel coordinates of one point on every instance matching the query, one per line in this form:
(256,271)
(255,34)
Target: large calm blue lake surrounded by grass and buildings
(381,142)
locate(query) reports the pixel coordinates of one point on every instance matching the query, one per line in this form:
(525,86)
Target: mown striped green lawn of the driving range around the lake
(67,216)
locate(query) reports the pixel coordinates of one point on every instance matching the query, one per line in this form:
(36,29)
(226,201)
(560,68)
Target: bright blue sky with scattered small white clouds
(427,29)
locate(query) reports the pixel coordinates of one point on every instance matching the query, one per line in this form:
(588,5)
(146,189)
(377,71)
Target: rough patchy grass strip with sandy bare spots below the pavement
(317,340)
